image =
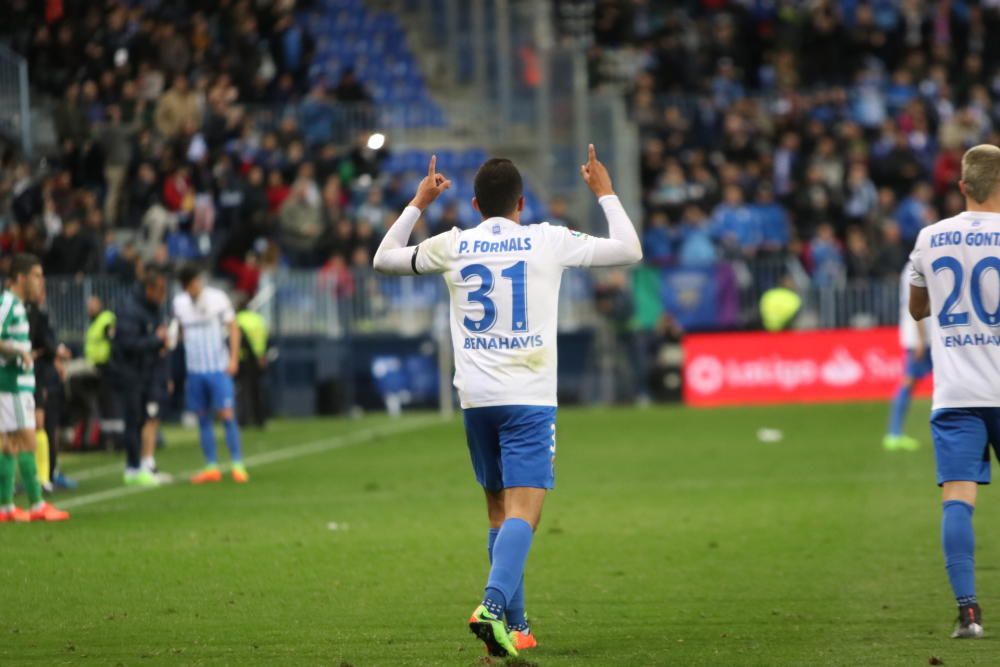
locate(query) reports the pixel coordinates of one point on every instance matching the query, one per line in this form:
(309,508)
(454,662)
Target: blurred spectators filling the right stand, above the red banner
(831,130)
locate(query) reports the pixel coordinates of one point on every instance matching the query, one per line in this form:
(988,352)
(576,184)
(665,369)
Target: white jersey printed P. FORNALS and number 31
(503,279)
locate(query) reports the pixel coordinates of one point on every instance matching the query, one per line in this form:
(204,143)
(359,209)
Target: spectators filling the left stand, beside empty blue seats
(189,131)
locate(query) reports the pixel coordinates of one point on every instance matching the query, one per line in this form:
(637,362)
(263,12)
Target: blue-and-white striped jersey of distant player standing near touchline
(205,325)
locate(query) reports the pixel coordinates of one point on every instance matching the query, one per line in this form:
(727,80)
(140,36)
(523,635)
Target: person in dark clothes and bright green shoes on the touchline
(140,342)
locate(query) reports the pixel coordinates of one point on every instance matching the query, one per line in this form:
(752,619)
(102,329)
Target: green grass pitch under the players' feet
(674,537)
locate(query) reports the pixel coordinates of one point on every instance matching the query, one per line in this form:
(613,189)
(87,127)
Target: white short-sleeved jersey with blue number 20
(958,261)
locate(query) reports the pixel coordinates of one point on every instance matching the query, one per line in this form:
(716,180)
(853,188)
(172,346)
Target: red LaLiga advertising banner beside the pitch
(793,367)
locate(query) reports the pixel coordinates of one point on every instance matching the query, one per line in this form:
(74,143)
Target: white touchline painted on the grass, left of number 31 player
(265,458)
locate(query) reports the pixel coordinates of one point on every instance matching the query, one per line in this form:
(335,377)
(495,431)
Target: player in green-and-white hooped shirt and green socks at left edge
(17,396)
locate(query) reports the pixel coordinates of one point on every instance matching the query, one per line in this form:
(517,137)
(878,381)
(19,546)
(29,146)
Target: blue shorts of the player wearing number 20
(962,439)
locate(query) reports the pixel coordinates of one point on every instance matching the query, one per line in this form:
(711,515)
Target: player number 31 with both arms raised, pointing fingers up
(503,278)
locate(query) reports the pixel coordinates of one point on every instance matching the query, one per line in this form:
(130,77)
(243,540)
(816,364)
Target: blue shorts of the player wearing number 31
(512,445)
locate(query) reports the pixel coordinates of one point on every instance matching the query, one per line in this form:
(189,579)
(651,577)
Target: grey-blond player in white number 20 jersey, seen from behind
(956,280)
